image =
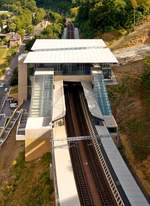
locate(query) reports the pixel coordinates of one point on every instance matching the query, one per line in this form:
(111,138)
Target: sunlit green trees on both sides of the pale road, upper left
(24,15)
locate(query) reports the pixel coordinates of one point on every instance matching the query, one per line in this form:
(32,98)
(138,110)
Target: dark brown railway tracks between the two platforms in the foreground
(90,180)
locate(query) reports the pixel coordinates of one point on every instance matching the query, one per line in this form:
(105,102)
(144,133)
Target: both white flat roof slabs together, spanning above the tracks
(70,51)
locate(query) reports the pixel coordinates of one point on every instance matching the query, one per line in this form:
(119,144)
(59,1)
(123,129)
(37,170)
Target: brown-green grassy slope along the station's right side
(132,112)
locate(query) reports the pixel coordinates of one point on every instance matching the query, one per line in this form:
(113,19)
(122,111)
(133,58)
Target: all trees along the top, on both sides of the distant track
(91,16)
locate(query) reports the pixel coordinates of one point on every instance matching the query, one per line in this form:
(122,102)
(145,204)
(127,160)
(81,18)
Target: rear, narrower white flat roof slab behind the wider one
(49,44)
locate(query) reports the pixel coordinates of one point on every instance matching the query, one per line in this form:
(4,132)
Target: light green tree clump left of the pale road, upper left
(24,14)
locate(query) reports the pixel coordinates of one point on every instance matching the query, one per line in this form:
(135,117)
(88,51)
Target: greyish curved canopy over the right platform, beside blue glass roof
(91,101)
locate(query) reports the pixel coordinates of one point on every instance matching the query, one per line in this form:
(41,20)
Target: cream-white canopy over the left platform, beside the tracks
(59,108)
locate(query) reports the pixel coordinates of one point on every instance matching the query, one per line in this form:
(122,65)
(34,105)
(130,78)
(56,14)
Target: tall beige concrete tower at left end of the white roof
(22,79)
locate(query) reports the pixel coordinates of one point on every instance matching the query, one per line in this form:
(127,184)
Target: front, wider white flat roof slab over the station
(91,55)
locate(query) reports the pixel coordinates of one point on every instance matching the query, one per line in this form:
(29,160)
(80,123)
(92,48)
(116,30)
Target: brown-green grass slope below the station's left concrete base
(29,183)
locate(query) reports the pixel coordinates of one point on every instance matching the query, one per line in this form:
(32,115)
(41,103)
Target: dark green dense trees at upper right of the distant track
(99,15)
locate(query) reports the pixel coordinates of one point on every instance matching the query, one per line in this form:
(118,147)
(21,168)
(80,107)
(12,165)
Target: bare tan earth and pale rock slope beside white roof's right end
(133,46)
